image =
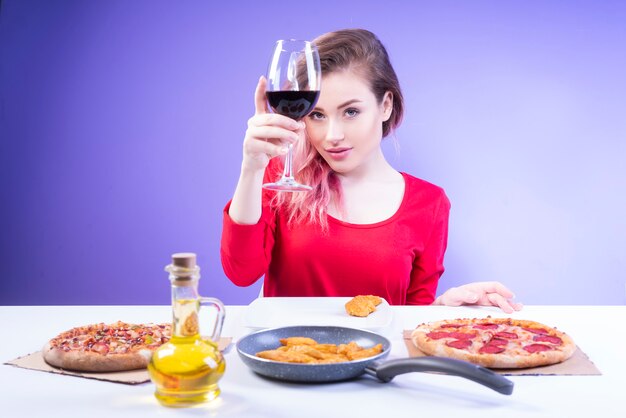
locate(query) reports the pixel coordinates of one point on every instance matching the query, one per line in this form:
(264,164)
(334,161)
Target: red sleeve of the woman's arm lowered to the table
(428,267)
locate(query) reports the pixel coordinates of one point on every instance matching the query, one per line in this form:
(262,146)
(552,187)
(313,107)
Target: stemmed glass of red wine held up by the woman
(293,87)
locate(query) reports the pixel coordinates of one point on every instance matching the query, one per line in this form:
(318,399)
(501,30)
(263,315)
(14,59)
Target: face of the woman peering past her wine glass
(346,126)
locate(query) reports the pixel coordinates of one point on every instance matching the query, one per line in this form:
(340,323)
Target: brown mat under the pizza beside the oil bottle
(35,361)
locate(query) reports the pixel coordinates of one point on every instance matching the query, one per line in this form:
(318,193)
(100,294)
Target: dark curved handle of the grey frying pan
(390,369)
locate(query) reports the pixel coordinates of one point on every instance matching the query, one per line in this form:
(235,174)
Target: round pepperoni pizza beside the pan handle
(494,342)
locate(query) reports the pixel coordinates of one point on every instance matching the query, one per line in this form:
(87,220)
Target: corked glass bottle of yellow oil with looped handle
(187,368)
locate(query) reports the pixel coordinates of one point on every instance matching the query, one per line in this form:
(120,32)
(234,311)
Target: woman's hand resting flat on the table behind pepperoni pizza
(480,293)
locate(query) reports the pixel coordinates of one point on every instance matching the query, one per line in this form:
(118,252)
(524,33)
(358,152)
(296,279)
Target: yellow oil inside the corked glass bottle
(186,369)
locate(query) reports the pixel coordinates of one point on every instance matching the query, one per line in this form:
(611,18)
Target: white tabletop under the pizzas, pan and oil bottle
(600,331)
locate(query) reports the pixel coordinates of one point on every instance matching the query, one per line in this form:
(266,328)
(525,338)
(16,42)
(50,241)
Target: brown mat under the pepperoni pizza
(579,364)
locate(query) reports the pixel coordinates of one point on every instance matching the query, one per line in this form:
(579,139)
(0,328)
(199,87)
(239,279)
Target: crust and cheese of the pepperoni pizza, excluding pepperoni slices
(514,355)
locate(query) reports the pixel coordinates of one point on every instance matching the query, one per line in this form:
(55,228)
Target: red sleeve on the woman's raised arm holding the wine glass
(246,250)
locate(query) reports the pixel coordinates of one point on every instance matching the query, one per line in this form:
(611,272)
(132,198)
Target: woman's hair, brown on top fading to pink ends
(361,51)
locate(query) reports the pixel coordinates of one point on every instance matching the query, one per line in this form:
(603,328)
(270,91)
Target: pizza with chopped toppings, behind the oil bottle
(106,348)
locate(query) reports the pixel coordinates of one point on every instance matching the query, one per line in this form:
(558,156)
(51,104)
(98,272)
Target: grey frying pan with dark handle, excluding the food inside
(268,339)
